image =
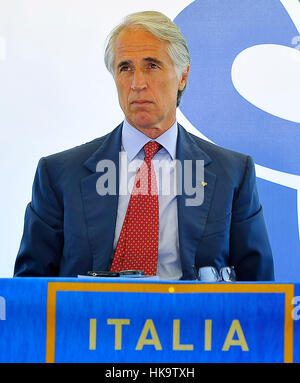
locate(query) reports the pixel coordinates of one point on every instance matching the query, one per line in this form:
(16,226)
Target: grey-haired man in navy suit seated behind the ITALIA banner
(72,226)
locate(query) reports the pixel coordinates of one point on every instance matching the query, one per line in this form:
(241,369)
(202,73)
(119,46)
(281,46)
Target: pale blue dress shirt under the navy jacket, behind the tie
(133,141)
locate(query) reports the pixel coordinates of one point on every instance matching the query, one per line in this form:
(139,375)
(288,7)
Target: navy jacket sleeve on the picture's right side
(250,250)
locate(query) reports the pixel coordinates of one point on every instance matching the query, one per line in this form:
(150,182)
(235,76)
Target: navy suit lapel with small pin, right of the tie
(192,219)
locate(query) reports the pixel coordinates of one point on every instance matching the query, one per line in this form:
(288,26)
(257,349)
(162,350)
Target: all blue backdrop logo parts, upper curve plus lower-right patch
(217,32)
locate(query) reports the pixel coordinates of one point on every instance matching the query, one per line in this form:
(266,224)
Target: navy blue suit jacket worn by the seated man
(69,228)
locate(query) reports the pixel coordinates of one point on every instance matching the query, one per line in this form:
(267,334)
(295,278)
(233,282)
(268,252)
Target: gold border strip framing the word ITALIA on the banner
(140,287)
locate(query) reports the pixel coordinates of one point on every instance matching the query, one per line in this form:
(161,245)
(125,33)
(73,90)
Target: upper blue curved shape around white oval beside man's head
(216,32)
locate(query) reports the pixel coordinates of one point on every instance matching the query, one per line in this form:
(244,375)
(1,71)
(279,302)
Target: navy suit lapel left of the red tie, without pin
(101,210)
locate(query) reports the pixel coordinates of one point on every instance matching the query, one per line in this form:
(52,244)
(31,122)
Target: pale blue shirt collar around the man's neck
(133,140)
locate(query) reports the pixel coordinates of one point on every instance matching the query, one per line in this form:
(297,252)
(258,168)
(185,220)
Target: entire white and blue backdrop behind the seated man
(243,94)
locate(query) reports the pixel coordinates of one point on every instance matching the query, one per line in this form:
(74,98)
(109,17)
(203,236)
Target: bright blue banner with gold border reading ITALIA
(70,320)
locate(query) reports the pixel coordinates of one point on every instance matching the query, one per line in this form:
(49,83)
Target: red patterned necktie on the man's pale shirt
(137,247)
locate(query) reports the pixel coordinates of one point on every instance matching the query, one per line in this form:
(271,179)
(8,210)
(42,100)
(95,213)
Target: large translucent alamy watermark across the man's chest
(175,178)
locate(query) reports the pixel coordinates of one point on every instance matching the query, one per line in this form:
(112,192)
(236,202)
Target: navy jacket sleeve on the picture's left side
(42,242)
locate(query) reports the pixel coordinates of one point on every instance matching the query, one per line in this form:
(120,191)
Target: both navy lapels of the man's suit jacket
(101,211)
